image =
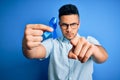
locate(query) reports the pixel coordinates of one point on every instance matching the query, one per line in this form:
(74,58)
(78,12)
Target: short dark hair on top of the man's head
(68,9)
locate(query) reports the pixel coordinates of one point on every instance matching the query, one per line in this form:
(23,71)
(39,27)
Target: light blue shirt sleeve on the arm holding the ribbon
(48,44)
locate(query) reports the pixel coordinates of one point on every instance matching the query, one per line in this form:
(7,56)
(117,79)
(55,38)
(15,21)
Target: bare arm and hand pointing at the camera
(83,50)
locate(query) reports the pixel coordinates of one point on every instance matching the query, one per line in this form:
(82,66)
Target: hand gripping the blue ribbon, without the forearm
(33,35)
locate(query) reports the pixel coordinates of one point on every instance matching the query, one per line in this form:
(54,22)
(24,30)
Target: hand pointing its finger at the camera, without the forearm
(82,49)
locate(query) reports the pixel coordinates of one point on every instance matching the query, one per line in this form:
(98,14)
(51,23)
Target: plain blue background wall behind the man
(99,18)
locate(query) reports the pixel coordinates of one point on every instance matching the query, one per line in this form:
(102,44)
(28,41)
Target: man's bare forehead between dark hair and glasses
(69,18)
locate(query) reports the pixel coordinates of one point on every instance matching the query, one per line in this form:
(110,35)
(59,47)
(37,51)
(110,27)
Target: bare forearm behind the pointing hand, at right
(99,55)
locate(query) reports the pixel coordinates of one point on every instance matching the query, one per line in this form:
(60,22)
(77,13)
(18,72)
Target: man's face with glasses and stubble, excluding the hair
(69,25)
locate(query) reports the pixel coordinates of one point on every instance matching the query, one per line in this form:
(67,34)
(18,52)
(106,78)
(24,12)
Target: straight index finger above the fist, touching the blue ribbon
(40,27)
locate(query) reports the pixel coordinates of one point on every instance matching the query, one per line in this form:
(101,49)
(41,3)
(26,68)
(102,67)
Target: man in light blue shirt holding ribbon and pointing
(71,56)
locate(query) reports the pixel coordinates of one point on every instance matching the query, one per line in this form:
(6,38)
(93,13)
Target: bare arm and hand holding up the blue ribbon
(31,44)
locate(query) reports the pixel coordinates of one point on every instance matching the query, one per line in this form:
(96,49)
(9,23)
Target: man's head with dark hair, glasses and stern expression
(69,20)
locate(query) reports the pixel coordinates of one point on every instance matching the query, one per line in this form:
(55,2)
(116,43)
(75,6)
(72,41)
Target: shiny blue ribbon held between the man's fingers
(53,24)
